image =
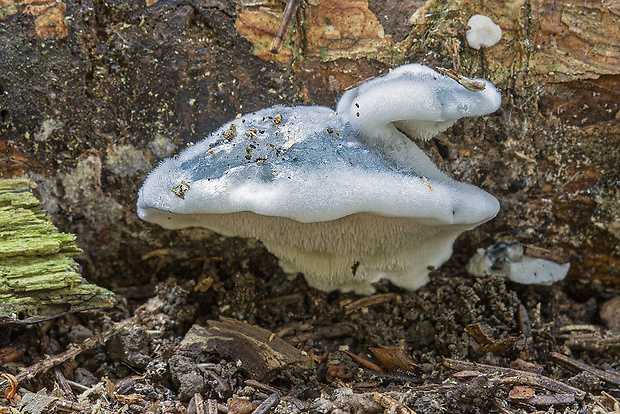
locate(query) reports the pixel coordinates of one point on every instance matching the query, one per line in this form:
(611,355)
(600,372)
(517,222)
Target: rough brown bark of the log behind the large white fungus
(94,93)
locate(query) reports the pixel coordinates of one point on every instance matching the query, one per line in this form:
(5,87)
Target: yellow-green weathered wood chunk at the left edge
(38,277)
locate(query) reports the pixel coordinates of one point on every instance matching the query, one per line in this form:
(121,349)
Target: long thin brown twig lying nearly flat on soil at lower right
(513,376)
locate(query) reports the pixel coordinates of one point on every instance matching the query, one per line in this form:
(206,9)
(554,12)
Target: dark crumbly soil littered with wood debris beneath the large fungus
(455,316)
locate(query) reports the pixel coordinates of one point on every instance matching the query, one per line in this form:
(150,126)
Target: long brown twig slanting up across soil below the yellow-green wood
(90,343)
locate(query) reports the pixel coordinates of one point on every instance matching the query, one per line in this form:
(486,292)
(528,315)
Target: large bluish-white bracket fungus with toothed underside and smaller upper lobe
(345,197)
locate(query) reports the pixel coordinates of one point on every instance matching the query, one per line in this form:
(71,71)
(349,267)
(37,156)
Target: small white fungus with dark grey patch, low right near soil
(506,259)
